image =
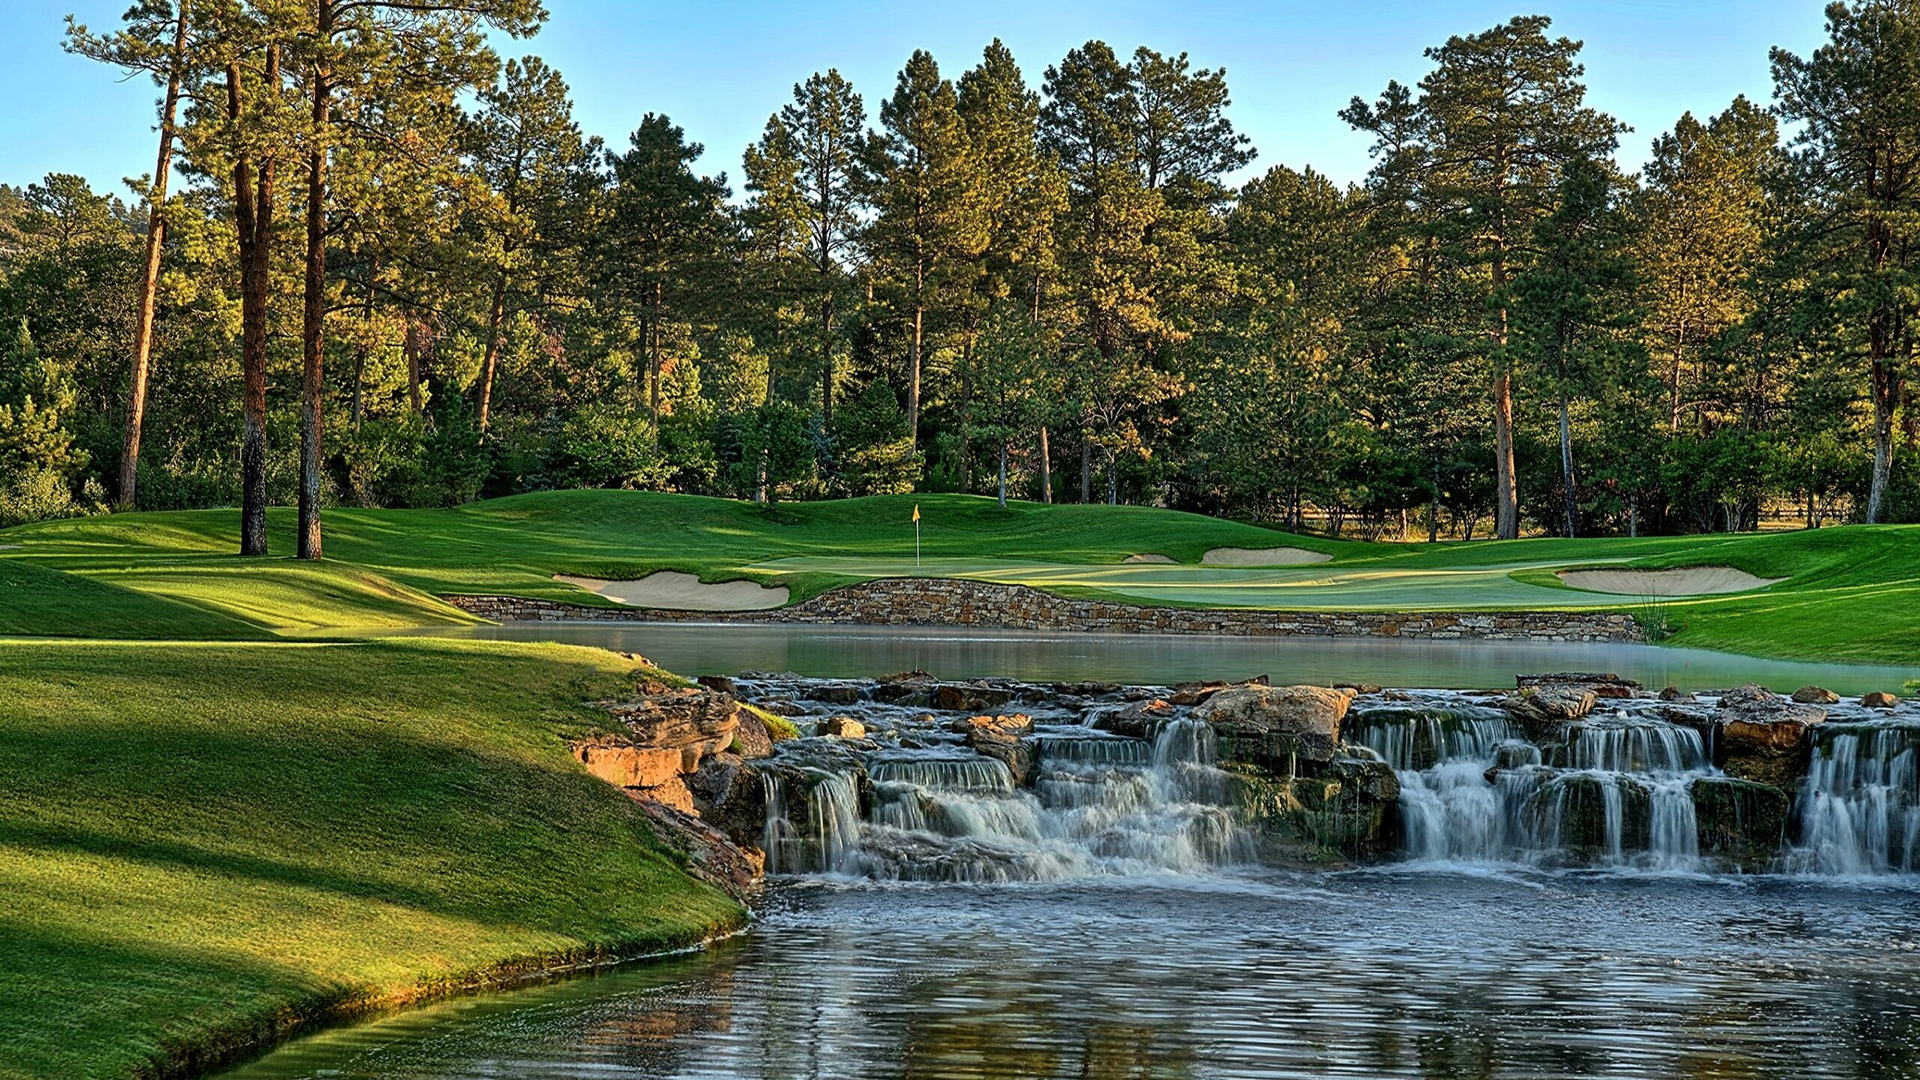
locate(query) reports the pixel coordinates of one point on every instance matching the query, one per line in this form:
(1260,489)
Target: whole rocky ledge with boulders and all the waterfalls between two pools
(924,779)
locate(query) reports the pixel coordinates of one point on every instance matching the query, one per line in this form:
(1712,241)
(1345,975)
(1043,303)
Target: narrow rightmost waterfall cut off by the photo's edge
(1860,808)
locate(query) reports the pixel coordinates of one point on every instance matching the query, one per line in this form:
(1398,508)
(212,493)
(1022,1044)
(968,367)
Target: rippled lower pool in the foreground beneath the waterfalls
(1259,975)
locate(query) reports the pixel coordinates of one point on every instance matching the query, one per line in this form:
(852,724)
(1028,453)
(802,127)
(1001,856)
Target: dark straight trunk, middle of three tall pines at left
(254,226)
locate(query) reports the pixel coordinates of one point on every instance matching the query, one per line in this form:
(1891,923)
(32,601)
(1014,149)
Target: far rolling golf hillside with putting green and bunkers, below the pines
(1848,595)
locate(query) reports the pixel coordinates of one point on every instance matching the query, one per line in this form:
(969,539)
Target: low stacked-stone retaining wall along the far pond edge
(949,602)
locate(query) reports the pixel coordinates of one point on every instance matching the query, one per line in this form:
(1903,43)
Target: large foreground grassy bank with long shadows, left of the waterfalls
(203,841)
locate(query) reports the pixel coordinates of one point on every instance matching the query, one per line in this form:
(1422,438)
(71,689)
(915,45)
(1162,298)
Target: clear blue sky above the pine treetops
(719,68)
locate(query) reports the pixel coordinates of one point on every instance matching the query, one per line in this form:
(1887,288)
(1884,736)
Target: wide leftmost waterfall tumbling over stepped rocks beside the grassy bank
(1097,806)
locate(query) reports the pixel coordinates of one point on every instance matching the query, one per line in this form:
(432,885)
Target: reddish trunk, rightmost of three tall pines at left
(314,337)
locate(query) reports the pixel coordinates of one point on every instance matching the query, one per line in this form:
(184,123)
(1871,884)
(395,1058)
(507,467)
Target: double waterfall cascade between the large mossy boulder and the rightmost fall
(1616,793)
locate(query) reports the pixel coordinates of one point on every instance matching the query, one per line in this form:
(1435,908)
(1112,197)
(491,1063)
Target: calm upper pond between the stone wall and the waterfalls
(853,652)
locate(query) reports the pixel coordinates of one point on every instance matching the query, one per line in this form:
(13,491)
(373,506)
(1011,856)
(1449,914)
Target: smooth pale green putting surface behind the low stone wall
(1301,589)
